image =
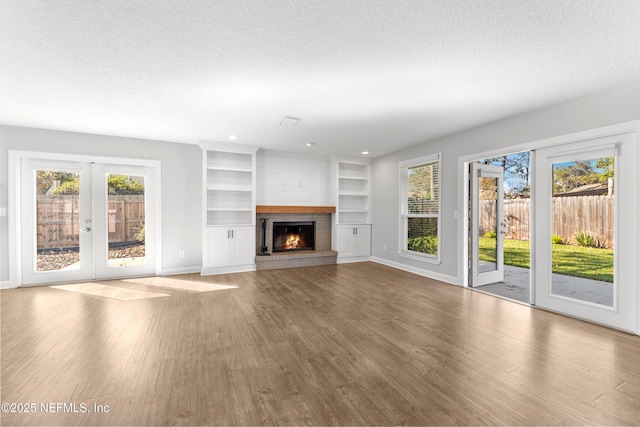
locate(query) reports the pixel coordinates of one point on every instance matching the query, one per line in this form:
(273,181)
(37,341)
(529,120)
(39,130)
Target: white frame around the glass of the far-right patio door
(622,313)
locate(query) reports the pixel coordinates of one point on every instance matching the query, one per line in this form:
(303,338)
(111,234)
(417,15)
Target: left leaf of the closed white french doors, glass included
(56,225)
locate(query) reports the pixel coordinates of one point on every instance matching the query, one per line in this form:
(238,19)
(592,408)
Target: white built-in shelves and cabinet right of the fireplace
(351,192)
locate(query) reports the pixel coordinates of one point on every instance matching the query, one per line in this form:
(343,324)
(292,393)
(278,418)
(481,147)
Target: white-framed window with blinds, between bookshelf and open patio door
(420,208)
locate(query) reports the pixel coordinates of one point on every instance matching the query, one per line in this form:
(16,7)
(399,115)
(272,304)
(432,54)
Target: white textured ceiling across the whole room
(363,74)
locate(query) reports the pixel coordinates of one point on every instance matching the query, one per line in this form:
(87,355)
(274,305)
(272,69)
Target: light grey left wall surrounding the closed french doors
(181,184)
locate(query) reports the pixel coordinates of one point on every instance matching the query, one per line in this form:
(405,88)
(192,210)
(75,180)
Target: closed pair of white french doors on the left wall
(85,220)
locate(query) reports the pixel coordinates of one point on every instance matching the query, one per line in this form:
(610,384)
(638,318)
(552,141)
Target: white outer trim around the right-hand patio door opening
(632,127)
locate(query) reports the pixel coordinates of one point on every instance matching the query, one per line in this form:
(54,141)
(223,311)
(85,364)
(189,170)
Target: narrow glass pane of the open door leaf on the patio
(487,224)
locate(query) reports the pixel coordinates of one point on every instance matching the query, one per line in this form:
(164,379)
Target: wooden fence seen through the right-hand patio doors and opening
(593,215)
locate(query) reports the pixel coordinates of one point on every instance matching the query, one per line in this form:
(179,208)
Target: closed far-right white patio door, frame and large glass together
(584,261)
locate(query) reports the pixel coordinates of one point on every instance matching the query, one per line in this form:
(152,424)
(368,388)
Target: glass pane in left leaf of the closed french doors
(57,220)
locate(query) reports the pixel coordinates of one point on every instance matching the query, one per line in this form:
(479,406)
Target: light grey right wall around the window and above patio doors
(612,106)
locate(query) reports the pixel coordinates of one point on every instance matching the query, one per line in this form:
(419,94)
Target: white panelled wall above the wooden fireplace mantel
(291,179)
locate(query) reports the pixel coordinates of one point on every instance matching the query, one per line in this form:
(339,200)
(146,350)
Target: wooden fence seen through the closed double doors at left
(58,220)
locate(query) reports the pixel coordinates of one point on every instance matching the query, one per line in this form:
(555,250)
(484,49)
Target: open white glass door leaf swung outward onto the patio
(487,225)
